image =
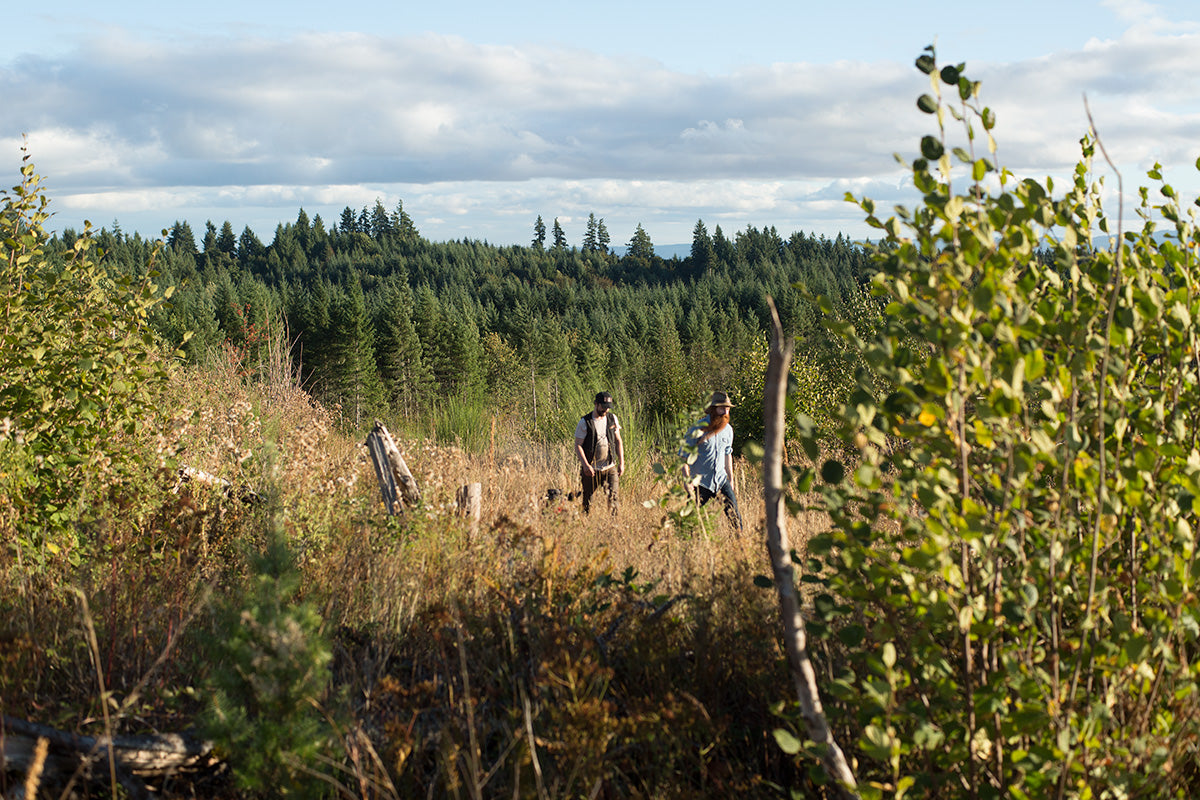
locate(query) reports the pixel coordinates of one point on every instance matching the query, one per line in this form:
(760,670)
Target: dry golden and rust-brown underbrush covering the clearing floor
(542,653)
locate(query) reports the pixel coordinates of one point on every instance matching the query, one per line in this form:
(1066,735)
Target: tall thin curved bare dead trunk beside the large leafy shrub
(775,402)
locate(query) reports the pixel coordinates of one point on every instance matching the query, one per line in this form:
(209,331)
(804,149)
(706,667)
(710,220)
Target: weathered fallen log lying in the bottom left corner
(68,756)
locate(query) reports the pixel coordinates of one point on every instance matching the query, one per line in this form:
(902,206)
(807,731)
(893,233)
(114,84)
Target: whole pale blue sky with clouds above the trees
(482,116)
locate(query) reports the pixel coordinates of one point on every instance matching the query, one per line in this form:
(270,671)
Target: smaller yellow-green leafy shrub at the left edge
(81,374)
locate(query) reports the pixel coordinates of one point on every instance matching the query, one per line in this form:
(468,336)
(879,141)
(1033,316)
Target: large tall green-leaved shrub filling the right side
(1009,588)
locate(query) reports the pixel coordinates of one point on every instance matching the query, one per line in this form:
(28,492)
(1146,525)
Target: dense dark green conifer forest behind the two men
(380,320)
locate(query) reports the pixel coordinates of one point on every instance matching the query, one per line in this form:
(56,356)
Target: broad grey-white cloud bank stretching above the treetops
(475,139)
